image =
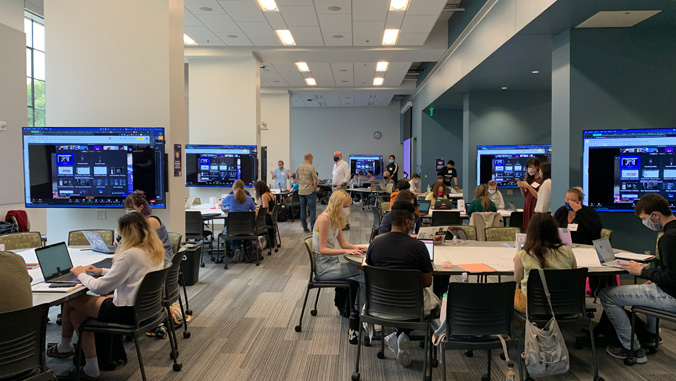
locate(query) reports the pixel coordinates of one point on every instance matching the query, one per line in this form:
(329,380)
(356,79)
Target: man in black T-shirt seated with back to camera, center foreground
(397,250)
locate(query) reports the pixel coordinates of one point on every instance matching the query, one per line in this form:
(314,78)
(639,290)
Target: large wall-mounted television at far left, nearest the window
(76,167)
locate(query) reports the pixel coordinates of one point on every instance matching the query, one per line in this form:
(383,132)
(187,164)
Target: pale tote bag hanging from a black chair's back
(545,352)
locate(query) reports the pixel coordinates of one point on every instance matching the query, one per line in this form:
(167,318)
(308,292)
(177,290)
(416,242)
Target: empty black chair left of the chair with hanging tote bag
(475,313)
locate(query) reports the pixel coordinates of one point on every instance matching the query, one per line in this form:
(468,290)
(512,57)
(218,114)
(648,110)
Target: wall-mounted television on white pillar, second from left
(220,165)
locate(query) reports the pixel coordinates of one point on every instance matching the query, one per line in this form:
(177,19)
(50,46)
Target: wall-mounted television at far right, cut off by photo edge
(620,166)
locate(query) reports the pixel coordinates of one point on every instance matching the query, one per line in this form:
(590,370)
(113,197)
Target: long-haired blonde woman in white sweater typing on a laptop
(141,252)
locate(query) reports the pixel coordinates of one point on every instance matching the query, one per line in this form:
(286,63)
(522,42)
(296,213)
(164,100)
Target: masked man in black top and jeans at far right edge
(660,290)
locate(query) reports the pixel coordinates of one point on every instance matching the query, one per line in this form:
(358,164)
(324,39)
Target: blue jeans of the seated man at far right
(614,299)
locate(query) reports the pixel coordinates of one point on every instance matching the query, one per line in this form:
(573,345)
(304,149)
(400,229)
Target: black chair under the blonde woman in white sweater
(149,312)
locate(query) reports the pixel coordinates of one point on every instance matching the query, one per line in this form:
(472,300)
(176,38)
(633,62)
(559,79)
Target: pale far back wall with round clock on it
(321,131)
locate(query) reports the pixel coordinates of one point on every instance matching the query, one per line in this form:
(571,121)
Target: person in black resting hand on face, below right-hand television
(582,221)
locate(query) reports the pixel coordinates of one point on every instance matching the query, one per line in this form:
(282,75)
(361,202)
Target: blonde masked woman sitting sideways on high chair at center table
(329,246)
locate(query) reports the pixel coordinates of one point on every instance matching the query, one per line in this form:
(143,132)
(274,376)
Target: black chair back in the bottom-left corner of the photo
(22,344)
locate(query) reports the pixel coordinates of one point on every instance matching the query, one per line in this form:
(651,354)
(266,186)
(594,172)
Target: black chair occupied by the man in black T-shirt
(394,298)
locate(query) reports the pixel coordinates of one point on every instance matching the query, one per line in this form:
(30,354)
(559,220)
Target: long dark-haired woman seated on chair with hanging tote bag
(543,250)
